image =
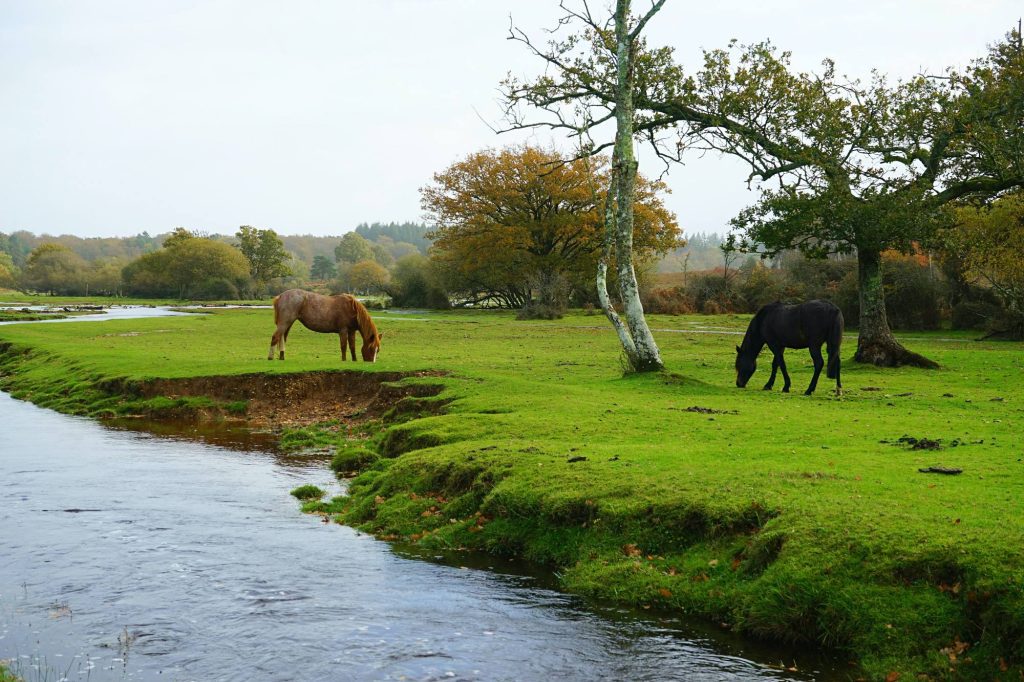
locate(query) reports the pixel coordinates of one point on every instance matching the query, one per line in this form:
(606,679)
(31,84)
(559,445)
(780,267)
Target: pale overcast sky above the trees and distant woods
(315,116)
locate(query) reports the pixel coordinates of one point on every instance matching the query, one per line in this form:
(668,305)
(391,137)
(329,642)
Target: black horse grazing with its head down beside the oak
(803,326)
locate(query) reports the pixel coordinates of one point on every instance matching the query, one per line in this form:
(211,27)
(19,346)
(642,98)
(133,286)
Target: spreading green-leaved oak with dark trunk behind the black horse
(854,166)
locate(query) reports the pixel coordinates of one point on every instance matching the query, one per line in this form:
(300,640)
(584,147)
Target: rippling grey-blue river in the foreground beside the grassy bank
(126,556)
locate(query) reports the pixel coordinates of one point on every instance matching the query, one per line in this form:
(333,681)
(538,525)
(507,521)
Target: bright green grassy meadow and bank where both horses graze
(786,518)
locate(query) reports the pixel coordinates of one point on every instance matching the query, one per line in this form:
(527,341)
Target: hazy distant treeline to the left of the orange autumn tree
(188,264)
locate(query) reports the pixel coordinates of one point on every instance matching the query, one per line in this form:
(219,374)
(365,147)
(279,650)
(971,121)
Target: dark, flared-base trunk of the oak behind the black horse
(876,344)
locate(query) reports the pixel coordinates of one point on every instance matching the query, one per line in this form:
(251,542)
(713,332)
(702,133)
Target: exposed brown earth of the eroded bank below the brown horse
(297,400)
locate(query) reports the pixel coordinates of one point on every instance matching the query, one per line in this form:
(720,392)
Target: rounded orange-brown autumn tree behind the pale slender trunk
(508,220)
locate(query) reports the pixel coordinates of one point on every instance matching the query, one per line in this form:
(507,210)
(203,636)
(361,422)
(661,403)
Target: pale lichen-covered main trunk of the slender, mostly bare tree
(624,174)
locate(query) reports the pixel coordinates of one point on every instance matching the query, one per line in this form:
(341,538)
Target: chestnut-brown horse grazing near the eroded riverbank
(342,315)
